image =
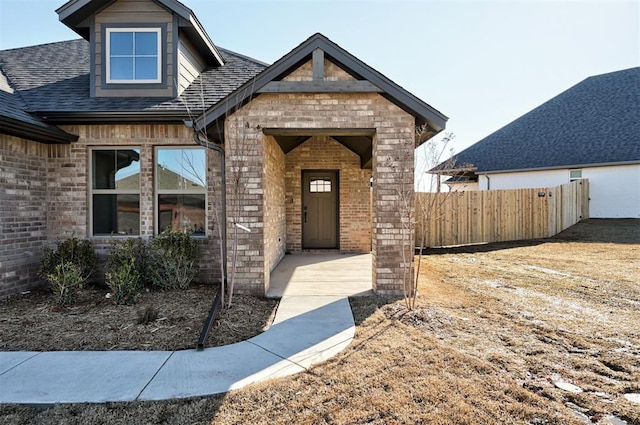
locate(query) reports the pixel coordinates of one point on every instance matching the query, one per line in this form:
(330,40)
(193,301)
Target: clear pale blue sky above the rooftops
(481,63)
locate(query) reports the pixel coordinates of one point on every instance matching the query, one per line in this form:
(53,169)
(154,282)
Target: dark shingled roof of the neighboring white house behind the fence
(595,122)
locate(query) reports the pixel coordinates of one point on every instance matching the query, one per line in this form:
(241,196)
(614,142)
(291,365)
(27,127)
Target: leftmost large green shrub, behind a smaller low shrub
(73,250)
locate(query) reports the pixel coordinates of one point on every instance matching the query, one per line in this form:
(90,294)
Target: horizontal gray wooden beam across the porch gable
(353,86)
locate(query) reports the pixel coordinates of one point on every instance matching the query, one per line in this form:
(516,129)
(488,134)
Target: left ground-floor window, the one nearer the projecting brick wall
(114,200)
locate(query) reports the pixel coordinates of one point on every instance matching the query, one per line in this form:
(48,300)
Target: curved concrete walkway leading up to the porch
(310,326)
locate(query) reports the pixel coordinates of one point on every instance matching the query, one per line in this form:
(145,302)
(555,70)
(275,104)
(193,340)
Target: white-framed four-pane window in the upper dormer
(133,55)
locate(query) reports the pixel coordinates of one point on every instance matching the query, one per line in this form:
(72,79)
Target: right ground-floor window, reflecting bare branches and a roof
(181,195)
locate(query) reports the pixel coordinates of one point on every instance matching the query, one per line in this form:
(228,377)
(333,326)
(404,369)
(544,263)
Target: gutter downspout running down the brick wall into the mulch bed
(217,301)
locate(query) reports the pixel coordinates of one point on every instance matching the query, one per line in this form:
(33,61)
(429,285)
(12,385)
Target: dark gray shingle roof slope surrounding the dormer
(55,77)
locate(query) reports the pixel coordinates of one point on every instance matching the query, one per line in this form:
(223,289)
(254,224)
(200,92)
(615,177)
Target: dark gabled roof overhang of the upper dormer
(74,14)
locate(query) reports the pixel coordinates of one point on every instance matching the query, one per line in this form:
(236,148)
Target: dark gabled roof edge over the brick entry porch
(424,113)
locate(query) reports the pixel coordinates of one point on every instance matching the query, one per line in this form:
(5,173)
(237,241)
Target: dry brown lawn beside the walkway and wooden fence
(498,330)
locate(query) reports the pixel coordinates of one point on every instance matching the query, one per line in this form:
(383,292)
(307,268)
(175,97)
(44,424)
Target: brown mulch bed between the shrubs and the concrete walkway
(169,320)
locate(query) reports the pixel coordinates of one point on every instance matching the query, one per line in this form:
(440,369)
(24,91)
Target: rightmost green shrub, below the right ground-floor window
(173,256)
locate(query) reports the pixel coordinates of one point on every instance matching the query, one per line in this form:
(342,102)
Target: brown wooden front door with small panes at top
(320,209)
